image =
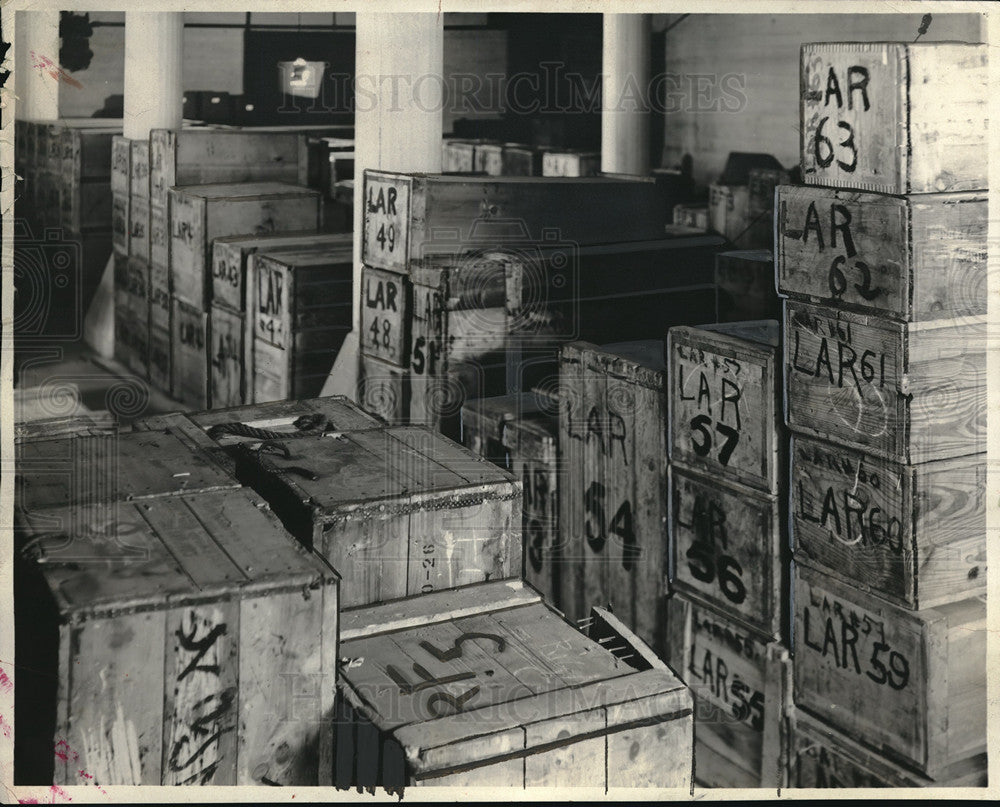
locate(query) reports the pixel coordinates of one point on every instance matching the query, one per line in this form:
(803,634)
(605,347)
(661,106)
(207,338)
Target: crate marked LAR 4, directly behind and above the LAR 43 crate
(200,214)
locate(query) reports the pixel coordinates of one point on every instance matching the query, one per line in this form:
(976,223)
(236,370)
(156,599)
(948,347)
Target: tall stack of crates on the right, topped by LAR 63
(882,256)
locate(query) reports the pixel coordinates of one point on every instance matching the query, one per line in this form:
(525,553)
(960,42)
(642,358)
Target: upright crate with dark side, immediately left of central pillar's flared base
(301,314)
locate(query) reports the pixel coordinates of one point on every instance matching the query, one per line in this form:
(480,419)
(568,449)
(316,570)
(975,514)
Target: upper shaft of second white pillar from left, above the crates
(154,48)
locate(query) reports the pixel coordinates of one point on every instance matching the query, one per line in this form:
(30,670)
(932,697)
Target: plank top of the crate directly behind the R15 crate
(391,469)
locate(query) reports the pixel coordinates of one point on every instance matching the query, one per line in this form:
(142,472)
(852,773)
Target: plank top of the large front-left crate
(101,560)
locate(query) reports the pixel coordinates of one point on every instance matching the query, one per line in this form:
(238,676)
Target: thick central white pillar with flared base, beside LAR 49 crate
(398,65)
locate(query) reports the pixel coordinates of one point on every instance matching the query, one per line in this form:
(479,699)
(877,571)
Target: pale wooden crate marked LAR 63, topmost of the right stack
(892,117)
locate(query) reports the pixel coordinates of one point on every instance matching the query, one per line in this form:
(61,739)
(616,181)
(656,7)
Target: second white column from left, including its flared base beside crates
(154,49)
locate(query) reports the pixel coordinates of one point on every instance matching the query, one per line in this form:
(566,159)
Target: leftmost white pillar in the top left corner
(37,43)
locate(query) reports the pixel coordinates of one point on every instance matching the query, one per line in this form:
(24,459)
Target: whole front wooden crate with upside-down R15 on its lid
(555,709)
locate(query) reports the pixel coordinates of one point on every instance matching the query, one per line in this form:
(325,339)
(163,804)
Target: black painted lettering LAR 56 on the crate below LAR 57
(707,556)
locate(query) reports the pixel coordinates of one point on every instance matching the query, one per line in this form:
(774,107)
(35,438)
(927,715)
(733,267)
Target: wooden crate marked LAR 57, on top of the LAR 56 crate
(725,417)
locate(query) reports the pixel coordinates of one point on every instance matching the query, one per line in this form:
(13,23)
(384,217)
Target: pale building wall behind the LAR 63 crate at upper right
(742,95)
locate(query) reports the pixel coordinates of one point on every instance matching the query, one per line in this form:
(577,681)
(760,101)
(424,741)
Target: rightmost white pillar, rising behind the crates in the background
(625,117)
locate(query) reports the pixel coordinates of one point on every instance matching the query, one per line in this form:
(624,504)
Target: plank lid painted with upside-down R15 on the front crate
(506,658)
